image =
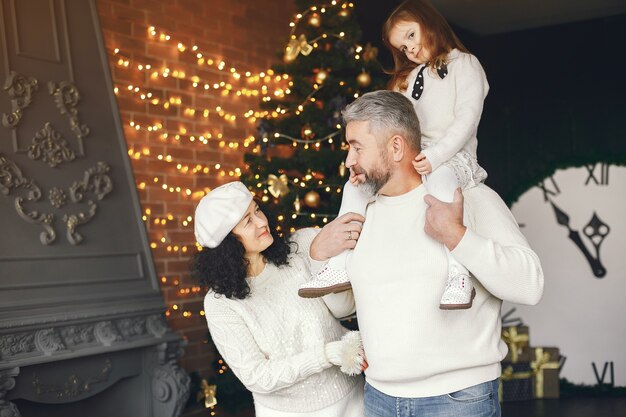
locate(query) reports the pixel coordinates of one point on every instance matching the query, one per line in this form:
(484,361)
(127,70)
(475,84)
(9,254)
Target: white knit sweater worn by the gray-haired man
(398,274)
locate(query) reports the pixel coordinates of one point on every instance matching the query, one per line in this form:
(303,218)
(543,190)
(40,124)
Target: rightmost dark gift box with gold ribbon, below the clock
(545,366)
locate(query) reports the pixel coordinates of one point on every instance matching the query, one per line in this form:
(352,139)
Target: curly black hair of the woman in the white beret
(224,269)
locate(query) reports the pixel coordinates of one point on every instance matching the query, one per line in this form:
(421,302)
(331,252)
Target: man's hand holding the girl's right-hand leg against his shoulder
(444,221)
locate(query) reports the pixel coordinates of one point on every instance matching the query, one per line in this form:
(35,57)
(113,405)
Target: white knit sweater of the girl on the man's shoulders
(449,109)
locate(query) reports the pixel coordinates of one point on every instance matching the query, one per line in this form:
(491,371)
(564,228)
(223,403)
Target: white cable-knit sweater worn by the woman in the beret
(274,340)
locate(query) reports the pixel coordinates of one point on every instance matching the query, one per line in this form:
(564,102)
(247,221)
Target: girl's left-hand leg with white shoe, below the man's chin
(334,278)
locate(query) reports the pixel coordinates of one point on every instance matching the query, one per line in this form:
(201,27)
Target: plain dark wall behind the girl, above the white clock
(556,97)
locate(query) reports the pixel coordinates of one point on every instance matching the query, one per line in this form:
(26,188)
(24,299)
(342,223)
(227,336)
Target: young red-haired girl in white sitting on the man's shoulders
(447,86)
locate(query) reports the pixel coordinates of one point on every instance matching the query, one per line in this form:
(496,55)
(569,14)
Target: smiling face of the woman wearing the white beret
(253,230)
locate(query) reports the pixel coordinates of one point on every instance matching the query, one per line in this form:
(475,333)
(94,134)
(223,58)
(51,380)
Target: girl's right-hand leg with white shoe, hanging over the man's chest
(459,292)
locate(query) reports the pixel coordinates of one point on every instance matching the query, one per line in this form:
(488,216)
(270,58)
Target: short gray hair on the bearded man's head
(388,112)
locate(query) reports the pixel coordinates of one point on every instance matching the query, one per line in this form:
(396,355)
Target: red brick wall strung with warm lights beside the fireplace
(245,34)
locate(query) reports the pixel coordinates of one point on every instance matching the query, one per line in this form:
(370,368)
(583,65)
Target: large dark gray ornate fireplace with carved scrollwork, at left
(82,331)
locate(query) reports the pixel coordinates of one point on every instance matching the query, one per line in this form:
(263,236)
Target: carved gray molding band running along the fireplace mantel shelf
(67,341)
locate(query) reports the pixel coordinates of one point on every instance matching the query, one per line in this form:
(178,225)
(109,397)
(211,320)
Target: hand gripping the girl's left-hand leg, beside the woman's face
(337,236)
